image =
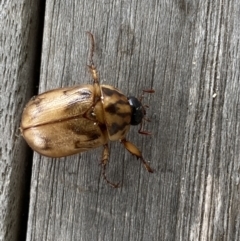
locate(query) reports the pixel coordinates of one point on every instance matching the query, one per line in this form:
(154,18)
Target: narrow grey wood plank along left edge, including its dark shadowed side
(19,21)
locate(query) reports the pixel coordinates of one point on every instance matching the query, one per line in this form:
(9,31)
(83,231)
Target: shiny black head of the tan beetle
(137,110)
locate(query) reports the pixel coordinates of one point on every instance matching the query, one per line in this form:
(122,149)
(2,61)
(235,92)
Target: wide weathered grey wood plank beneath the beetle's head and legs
(188,51)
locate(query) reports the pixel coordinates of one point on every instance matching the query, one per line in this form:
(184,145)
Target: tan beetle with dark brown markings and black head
(66,121)
